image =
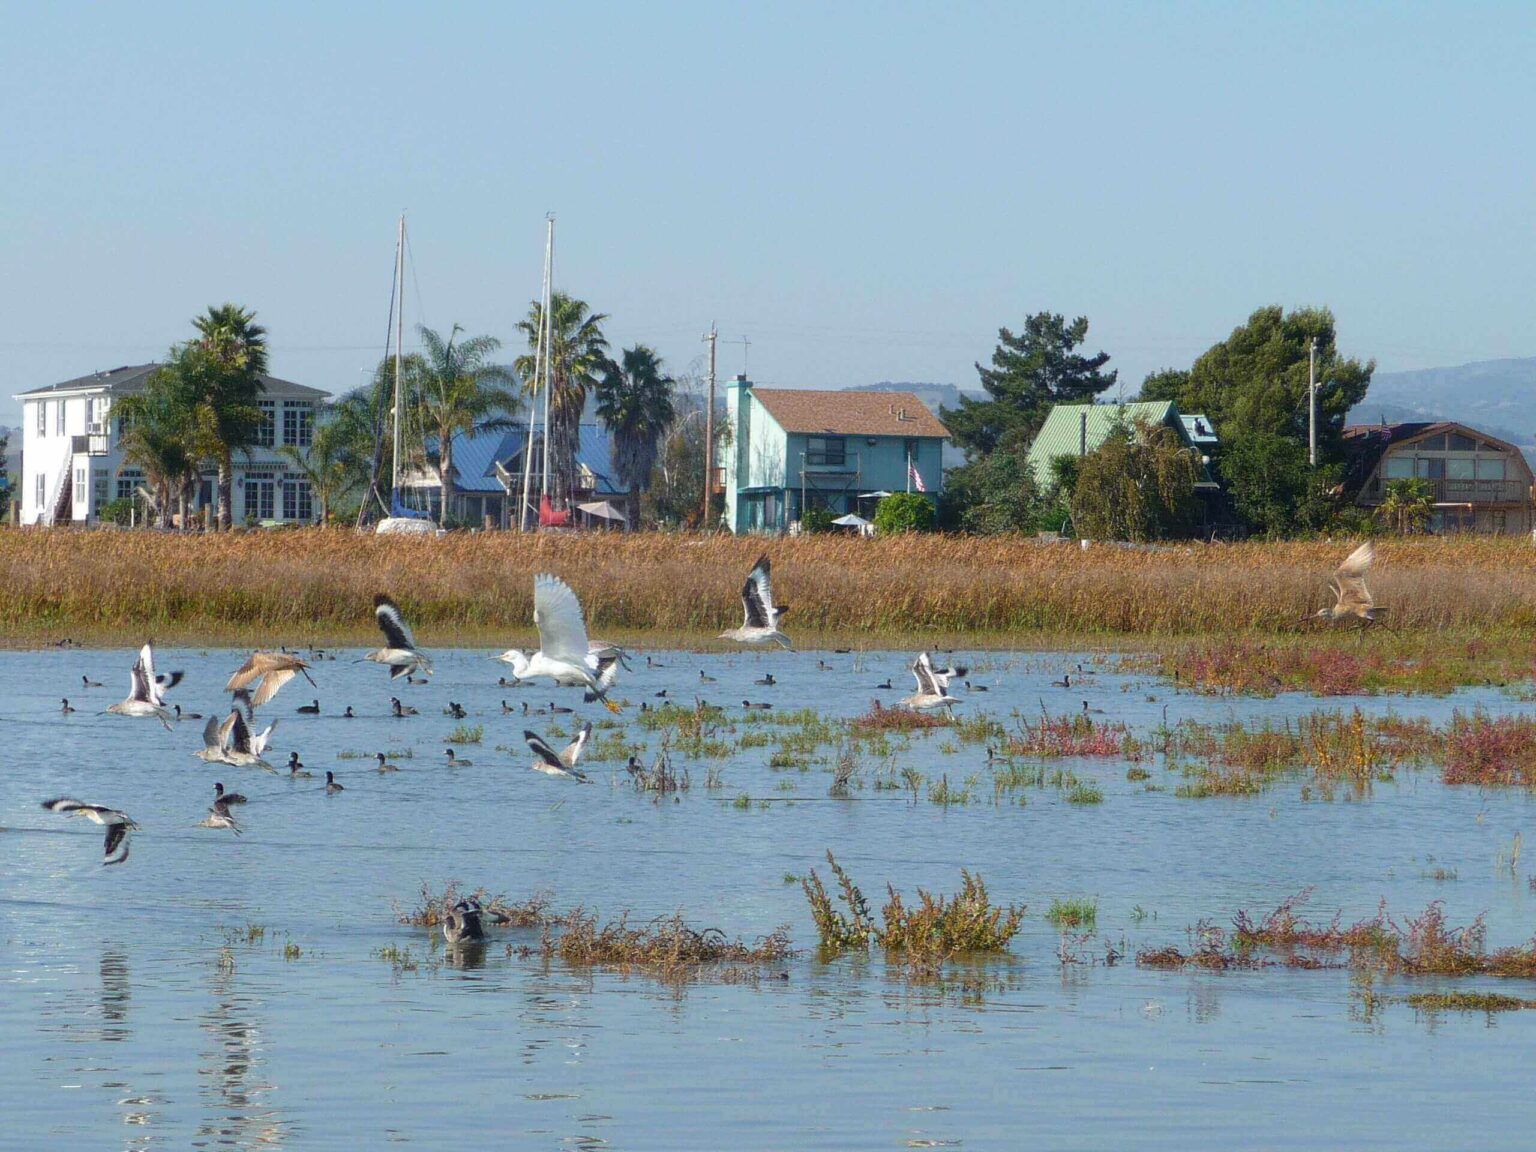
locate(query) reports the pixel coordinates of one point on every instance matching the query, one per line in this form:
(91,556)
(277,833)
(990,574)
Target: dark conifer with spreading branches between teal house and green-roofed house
(1030,372)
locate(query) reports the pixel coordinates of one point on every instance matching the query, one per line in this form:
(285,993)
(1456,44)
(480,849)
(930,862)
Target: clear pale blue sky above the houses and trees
(864,191)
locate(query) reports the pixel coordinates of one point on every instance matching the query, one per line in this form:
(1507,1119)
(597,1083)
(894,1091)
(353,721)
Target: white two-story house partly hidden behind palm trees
(73,460)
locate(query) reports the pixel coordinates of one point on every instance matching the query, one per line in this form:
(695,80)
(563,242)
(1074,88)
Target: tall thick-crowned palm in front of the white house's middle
(223,376)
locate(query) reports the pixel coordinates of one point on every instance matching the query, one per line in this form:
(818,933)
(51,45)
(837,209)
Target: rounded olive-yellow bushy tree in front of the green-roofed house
(1137,486)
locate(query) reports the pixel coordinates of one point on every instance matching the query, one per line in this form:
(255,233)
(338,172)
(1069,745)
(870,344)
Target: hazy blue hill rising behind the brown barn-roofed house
(1494,396)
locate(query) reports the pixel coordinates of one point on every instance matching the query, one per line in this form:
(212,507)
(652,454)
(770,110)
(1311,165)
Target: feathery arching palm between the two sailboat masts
(462,391)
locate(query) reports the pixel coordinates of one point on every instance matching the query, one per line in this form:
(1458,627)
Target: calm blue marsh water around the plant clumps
(260,991)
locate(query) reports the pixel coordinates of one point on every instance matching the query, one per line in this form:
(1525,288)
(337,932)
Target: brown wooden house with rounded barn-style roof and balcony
(1477,483)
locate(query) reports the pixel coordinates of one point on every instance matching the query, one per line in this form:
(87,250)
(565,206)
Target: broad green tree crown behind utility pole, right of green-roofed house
(1256,382)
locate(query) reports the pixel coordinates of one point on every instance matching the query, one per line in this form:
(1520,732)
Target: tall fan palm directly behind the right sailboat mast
(578,356)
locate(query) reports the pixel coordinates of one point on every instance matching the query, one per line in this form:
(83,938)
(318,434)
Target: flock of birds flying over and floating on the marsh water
(566,657)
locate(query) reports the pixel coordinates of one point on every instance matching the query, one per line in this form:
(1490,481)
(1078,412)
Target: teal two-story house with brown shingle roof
(795,449)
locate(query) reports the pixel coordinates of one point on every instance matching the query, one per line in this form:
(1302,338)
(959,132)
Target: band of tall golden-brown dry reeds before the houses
(320,584)
